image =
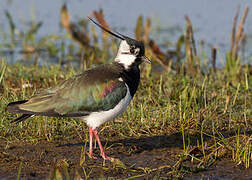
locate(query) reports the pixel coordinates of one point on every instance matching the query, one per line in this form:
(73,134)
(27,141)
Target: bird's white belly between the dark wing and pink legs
(95,119)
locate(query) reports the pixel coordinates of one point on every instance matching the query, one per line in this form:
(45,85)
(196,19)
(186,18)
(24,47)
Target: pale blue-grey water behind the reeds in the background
(212,19)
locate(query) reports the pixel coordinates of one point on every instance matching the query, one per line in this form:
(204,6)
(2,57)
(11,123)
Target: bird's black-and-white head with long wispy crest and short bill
(131,52)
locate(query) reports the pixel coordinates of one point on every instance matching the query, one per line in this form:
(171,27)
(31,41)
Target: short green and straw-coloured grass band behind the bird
(208,107)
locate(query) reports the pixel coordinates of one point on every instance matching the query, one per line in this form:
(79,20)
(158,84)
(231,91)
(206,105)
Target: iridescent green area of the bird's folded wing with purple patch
(97,97)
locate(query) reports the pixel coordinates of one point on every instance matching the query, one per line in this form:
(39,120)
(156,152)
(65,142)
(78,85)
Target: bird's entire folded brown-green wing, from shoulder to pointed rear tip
(76,97)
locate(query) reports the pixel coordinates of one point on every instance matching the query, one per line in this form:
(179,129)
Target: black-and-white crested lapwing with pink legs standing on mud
(95,96)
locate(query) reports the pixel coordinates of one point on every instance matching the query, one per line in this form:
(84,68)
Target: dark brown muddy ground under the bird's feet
(144,158)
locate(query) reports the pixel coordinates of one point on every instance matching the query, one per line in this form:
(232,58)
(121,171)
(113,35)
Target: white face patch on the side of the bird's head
(124,56)
